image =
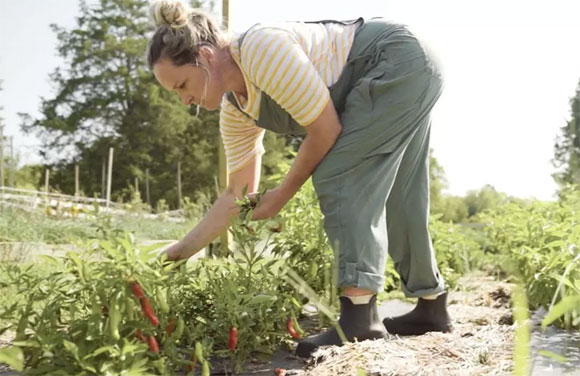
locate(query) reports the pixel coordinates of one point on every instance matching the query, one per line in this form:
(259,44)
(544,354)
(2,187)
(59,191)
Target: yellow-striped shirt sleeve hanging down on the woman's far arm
(241,136)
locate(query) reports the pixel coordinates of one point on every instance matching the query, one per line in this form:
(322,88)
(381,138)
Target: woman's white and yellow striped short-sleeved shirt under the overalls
(294,63)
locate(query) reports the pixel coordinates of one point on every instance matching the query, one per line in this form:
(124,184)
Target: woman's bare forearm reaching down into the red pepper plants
(217,219)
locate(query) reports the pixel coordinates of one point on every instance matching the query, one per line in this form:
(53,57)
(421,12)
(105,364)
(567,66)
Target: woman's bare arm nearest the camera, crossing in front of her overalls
(321,135)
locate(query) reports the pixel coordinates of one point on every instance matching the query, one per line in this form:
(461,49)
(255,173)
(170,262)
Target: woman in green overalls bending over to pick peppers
(361,93)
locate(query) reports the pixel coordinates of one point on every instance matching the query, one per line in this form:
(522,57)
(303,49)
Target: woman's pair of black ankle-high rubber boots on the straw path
(361,321)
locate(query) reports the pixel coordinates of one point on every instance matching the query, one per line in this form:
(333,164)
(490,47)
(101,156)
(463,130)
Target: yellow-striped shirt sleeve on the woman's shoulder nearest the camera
(276,62)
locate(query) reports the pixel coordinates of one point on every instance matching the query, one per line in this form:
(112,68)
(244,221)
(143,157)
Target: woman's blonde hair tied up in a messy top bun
(181,31)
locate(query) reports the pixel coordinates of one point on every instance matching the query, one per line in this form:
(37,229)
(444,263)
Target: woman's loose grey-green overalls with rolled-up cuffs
(373,185)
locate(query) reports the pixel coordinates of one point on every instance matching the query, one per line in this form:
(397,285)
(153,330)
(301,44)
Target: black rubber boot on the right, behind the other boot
(427,316)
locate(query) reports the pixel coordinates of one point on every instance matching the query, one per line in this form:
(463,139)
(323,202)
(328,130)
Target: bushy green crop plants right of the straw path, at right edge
(541,240)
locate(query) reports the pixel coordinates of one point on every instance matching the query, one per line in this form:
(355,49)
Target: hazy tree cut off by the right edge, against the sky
(567,146)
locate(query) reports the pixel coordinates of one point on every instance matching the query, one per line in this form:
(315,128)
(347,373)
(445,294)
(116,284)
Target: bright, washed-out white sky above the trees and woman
(510,69)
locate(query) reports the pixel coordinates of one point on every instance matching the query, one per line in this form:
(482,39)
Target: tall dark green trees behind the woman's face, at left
(106,97)
